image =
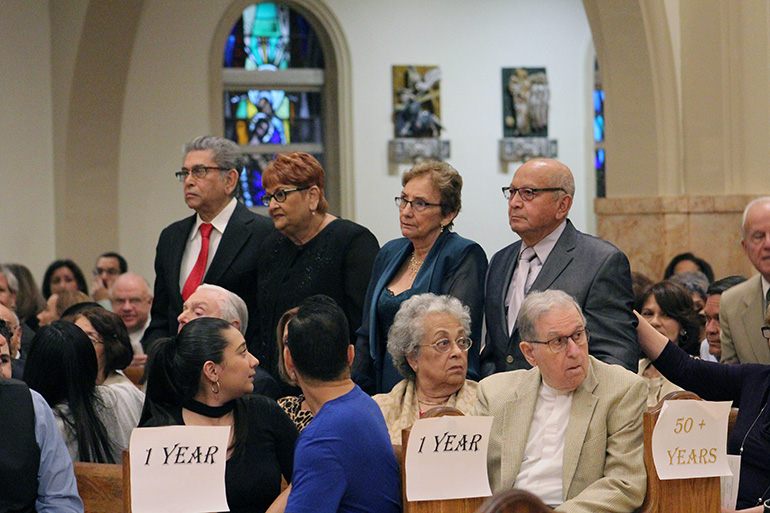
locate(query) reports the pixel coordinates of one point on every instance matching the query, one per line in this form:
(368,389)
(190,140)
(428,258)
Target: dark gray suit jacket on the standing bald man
(591,270)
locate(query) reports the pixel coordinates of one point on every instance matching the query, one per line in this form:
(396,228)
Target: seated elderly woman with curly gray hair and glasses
(429,344)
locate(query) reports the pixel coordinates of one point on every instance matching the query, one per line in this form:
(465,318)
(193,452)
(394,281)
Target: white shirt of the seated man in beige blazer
(541,469)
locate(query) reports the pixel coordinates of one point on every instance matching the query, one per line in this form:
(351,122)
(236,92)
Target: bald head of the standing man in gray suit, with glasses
(543,197)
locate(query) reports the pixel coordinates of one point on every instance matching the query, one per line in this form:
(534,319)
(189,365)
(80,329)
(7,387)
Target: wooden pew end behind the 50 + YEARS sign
(701,495)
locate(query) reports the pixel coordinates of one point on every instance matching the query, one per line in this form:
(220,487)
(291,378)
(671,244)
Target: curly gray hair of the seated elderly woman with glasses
(408,329)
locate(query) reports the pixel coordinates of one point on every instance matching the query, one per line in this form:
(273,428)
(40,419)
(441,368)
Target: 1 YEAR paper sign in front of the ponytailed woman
(178,469)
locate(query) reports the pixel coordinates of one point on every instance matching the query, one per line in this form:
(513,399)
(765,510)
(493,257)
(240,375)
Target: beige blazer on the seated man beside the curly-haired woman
(603,452)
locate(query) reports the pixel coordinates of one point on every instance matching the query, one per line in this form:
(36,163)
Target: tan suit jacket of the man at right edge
(741,317)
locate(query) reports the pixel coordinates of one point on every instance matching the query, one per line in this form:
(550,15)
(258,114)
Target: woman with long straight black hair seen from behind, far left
(95,420)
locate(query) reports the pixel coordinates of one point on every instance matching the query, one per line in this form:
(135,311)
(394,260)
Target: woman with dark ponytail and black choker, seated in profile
(203,377)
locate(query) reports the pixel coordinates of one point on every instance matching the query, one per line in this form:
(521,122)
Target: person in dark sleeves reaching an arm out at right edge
(747,385)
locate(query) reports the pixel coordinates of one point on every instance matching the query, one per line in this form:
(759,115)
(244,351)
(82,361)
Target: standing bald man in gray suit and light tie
(555,256)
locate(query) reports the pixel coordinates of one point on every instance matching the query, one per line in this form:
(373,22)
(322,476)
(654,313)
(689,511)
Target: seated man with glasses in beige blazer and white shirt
(568,430)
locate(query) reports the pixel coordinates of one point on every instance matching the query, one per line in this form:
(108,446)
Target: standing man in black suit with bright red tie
(218,244)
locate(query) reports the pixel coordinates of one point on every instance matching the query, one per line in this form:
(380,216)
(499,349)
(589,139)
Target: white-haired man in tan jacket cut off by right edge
(742,308)
